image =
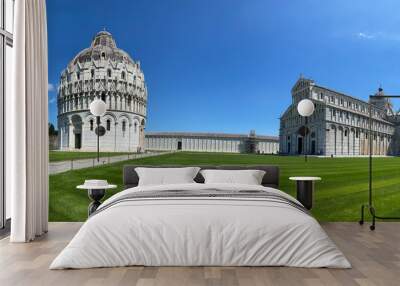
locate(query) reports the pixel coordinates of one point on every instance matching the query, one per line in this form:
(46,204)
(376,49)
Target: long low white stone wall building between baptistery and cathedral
(212,142)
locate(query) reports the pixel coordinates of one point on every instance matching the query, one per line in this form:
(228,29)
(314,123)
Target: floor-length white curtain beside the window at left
(27,124)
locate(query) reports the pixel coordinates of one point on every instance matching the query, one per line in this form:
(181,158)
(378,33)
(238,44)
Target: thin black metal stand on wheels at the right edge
(370,205)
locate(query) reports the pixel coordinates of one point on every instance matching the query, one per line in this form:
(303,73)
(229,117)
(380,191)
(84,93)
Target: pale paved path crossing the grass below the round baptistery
(64,166)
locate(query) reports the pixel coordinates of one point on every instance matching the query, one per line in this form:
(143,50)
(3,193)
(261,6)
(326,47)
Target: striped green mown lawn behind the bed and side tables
(338,197)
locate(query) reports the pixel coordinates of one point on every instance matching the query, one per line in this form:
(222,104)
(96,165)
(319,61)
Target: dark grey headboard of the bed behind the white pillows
(270,179)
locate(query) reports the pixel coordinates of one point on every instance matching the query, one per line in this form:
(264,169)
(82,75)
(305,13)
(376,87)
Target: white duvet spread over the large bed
(202,232)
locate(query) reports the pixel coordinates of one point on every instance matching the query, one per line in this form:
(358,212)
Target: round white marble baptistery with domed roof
(105,72)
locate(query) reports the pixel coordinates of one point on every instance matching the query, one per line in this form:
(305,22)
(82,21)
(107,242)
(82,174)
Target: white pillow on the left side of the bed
(166,176)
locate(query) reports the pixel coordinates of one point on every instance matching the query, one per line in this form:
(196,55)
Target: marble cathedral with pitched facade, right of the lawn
(339,125)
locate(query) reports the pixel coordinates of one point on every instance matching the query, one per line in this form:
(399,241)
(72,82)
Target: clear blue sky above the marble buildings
(227,65)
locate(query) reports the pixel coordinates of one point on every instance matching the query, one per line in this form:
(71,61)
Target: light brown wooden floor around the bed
(375,257)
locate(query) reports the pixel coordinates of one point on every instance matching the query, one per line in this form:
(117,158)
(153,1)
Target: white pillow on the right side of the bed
(248,177)
